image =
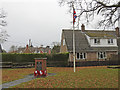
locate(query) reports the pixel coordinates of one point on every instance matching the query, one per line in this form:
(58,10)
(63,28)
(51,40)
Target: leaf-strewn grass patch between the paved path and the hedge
(15,74)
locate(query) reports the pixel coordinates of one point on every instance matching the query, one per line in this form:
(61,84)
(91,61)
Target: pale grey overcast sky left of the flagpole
(41,21)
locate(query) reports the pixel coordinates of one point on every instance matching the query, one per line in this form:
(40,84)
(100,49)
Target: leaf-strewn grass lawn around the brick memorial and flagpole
(84,77)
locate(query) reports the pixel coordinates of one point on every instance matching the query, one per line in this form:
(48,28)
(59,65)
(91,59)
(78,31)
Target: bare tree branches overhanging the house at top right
(89,9)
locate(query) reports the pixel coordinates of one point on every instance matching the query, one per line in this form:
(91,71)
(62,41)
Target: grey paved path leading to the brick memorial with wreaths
(19,81)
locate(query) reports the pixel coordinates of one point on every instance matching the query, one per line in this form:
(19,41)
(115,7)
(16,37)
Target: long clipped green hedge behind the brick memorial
(60,59)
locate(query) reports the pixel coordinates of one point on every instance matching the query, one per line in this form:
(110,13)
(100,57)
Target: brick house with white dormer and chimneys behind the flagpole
(90,45)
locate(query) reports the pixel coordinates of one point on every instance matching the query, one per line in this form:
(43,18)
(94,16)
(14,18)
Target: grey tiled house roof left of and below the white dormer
(81,42)
